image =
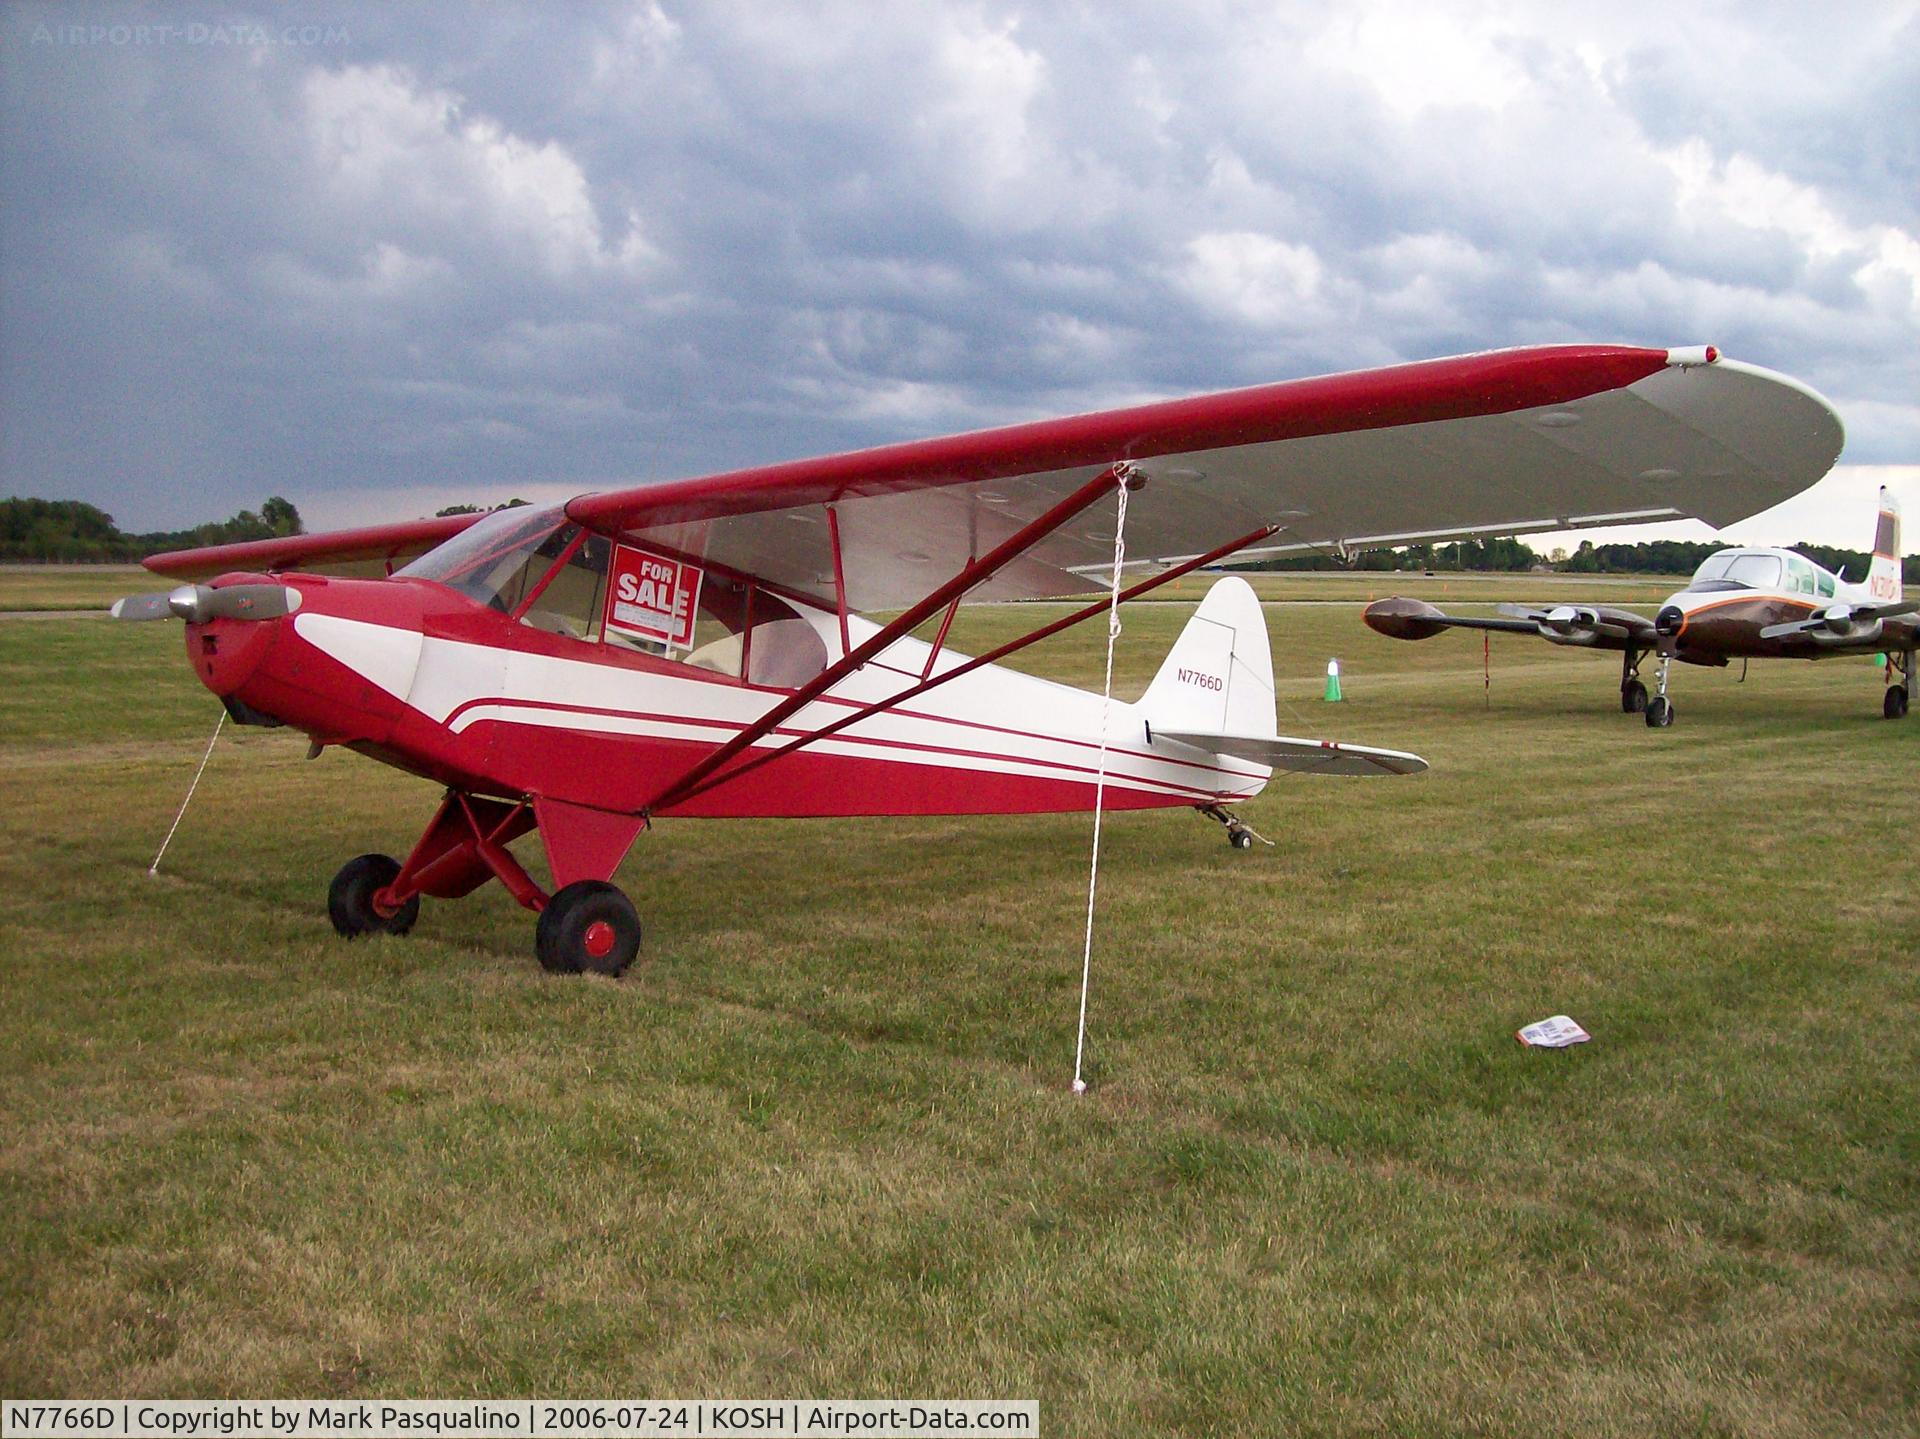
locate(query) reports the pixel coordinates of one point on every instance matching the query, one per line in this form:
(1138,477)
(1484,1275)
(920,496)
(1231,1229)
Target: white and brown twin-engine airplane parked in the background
(1740,604)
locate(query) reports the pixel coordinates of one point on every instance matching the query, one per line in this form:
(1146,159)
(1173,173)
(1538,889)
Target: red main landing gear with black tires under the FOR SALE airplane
(588,925)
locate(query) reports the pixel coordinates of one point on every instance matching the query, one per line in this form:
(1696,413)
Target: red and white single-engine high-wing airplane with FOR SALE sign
(698,646)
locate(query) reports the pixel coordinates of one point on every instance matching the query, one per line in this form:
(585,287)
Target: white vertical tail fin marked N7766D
(1218,679)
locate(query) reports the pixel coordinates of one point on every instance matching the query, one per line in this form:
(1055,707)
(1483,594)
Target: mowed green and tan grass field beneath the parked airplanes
(821,1142)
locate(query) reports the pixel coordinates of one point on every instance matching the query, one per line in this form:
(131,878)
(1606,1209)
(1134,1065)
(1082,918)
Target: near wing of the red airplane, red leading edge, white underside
(1506,443)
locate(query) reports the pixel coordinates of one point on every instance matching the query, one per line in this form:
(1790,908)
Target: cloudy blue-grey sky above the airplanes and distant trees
(389,258)
